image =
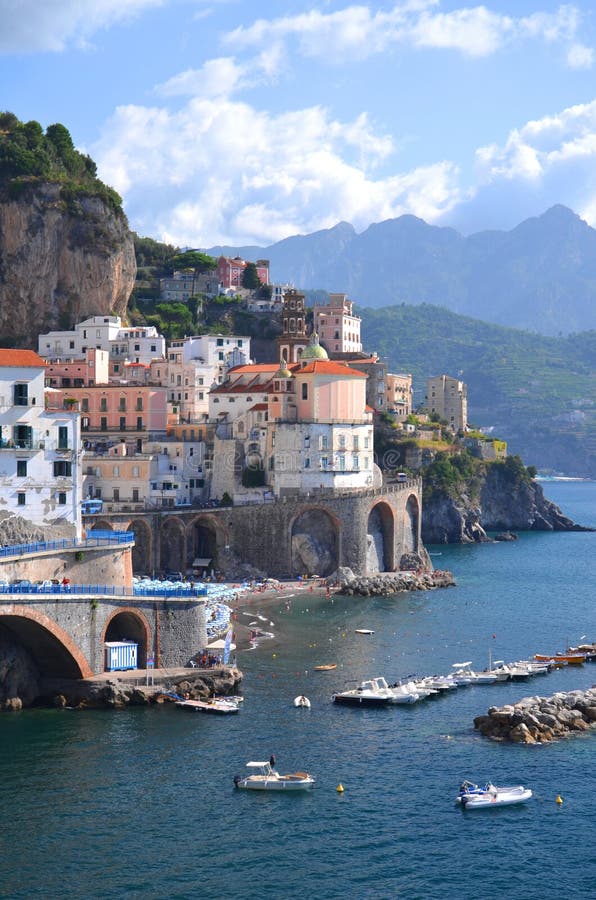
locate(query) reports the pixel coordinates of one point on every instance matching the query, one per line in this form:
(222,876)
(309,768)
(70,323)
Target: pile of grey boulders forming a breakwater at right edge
(536,720)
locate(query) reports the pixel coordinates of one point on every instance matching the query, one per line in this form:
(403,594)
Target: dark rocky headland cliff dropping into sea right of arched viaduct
(504,505)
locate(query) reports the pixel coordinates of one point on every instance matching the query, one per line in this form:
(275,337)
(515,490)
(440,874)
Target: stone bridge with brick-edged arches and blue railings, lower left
(60,629)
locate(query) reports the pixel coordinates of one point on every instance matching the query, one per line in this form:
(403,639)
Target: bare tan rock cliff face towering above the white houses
(60,262)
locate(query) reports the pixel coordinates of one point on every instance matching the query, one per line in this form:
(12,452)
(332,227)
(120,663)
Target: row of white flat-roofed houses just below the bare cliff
(139,345)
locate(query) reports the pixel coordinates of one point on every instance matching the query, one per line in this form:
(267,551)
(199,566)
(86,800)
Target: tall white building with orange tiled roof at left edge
(40,459)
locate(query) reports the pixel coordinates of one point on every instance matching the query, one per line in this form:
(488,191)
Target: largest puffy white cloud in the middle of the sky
(188,178)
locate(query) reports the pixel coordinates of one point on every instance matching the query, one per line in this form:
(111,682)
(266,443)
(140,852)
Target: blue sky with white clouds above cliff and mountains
(243,122)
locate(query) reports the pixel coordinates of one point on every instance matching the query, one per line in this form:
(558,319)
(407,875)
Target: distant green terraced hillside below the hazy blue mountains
(536,392)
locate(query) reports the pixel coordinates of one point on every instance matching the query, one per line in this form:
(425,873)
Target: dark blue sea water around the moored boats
(140,803)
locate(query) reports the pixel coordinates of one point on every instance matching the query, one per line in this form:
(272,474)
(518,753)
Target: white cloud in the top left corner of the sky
(28,26)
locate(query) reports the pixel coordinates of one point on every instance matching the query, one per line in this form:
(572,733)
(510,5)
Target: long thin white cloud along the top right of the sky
(357,32)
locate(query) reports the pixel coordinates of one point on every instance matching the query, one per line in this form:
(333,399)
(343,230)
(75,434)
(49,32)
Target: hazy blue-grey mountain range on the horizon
(540,276)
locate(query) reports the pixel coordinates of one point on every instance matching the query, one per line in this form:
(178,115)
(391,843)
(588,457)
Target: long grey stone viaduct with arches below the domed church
(368,530)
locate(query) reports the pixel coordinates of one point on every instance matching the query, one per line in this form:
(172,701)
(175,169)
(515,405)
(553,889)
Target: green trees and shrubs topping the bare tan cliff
(29,156)
